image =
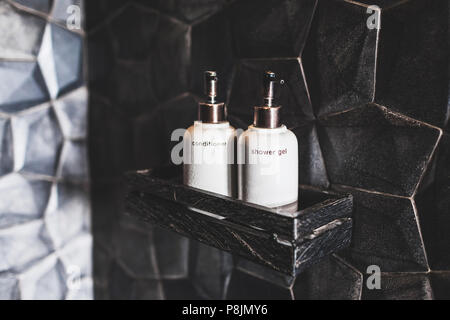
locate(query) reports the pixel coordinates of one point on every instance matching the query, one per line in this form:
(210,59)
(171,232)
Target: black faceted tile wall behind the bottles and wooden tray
(370,109)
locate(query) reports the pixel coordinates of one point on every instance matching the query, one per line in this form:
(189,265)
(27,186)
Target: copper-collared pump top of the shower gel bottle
(267,115)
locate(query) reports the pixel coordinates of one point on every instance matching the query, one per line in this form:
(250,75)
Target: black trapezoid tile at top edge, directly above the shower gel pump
(270,29)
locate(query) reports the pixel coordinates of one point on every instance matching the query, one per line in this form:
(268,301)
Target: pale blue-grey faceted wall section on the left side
(45,234)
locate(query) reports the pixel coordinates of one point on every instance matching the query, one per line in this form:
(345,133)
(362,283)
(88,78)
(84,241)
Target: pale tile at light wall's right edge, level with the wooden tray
(66,211)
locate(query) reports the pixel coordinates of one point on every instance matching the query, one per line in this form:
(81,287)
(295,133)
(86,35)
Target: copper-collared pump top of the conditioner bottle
(211,111)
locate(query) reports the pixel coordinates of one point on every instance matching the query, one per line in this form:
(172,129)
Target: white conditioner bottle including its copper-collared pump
(209,144)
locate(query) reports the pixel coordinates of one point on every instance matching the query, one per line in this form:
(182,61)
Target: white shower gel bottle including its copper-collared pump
(268,157)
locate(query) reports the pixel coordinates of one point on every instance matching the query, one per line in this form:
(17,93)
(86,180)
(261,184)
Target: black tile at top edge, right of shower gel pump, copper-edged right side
(339,57)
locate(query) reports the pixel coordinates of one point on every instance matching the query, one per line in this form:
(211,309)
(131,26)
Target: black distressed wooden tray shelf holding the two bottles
(286,242)
